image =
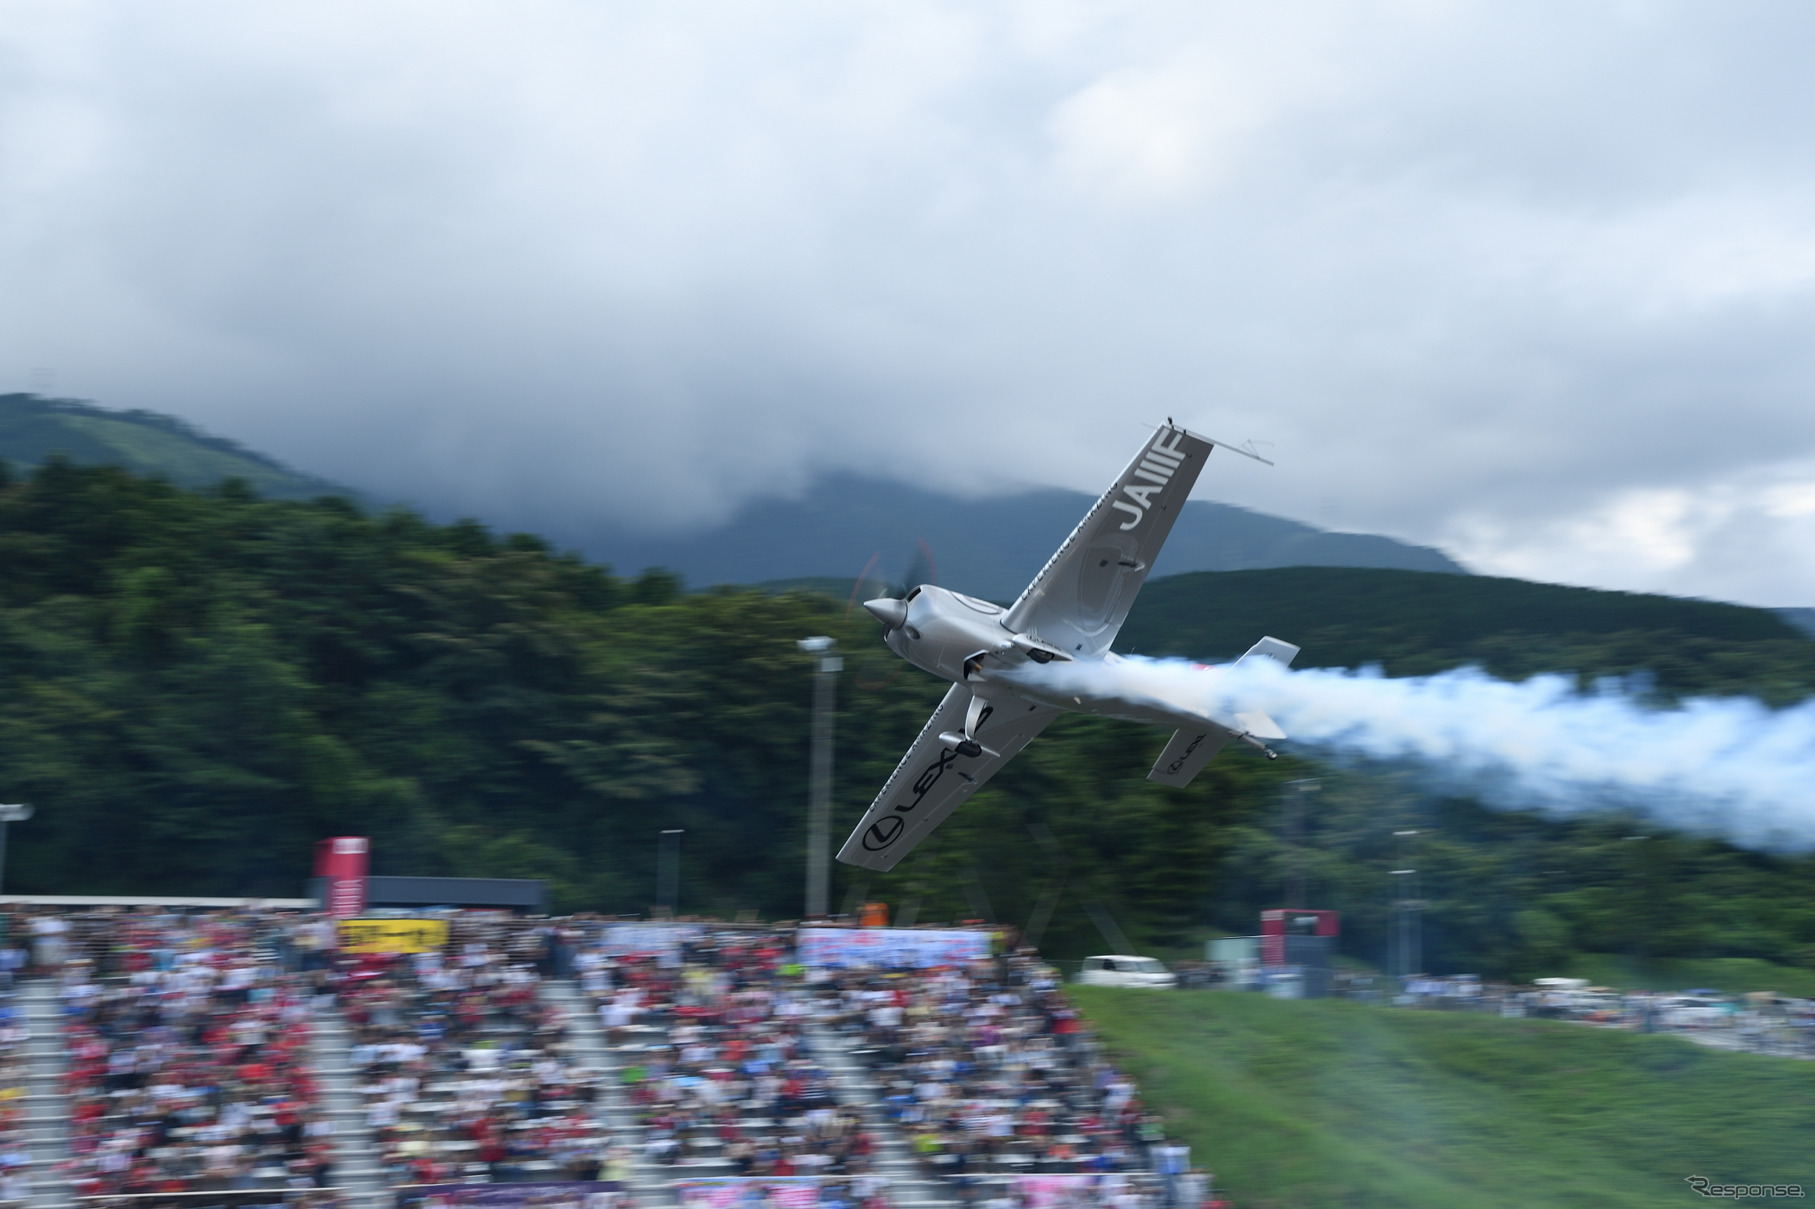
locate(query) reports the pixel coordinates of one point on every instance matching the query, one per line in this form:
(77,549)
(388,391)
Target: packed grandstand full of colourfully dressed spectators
(179,1056)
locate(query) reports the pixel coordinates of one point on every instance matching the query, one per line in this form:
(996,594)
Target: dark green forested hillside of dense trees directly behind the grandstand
(197,687)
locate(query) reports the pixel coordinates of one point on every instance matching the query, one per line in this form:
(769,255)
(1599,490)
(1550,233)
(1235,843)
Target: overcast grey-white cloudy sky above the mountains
(1531,282)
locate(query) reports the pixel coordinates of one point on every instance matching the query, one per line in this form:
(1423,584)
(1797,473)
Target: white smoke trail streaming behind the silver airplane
(1714,765)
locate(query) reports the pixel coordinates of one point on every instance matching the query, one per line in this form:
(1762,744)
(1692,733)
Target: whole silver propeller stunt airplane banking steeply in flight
(1015,671)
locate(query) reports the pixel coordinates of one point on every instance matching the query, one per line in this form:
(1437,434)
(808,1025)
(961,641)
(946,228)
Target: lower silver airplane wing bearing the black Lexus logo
(934,780)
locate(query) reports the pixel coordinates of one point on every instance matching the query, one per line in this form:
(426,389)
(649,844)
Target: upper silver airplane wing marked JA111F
(1084,593)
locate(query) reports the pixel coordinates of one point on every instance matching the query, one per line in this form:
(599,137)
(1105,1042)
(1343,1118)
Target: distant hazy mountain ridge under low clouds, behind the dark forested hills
(990,547)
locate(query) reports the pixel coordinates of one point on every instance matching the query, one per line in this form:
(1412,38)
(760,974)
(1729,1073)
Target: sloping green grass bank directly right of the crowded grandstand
(1329,1103)
